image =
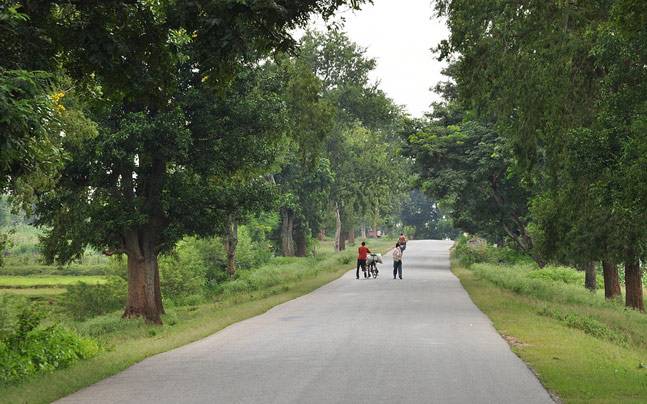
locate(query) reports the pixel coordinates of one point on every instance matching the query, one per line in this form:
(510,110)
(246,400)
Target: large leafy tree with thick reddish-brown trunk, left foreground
(143,181)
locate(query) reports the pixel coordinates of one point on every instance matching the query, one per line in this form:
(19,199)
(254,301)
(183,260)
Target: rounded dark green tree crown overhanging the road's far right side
(467,167)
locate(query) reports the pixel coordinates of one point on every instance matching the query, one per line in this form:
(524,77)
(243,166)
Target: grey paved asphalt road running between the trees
(419,340)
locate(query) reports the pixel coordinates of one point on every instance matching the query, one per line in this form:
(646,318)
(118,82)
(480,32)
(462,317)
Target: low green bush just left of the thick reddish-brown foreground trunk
(84,301)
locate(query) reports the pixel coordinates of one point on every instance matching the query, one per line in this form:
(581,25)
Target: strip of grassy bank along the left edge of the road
(127,342)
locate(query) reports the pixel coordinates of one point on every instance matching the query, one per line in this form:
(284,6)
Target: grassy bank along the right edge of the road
(583,348)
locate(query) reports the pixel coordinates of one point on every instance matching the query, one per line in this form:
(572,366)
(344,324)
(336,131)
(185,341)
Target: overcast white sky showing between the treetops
(400,35)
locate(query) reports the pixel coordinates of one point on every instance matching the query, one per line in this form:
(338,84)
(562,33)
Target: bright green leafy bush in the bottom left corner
(29,350)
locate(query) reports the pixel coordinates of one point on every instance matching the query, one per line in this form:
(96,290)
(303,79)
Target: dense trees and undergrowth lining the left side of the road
(167,154)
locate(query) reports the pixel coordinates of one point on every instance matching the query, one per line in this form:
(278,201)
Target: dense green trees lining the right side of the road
(540,143)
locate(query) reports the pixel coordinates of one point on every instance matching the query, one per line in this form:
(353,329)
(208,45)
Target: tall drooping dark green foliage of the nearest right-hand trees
(568,97)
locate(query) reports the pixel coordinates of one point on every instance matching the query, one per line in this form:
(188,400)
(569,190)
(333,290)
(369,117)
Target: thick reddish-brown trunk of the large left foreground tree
(144,296)
